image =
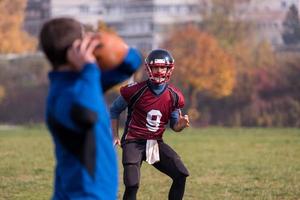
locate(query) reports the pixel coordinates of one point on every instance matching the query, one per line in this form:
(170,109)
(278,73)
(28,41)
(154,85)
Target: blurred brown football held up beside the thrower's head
(111,51)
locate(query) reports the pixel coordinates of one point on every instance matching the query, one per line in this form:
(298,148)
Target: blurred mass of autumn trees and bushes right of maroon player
(239,81)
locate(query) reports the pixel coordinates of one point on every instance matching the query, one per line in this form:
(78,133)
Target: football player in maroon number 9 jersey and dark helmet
(151,104)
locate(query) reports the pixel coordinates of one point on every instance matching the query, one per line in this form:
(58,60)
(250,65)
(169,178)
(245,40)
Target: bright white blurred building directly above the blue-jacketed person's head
(86,11)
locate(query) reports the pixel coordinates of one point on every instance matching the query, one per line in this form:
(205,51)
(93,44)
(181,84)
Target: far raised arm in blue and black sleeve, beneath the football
(130,65)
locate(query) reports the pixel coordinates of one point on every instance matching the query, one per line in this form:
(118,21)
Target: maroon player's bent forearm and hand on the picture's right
(179,122)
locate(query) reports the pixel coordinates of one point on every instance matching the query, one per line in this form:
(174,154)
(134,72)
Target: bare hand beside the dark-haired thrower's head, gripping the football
(81,52)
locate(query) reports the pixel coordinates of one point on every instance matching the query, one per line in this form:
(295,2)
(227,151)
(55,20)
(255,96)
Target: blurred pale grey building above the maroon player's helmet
(143,23)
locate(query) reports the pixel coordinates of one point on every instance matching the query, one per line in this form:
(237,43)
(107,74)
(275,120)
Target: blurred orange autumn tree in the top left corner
(13,38)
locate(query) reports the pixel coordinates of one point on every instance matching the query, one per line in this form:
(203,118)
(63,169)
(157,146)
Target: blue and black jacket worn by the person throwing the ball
(78,119)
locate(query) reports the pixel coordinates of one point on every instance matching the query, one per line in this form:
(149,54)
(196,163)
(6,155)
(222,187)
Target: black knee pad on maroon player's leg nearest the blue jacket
(131,175)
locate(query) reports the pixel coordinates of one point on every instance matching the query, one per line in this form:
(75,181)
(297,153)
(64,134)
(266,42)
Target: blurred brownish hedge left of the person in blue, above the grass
(26,84)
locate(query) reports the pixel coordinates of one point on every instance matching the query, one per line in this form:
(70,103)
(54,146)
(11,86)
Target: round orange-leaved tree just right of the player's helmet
(201,64)
